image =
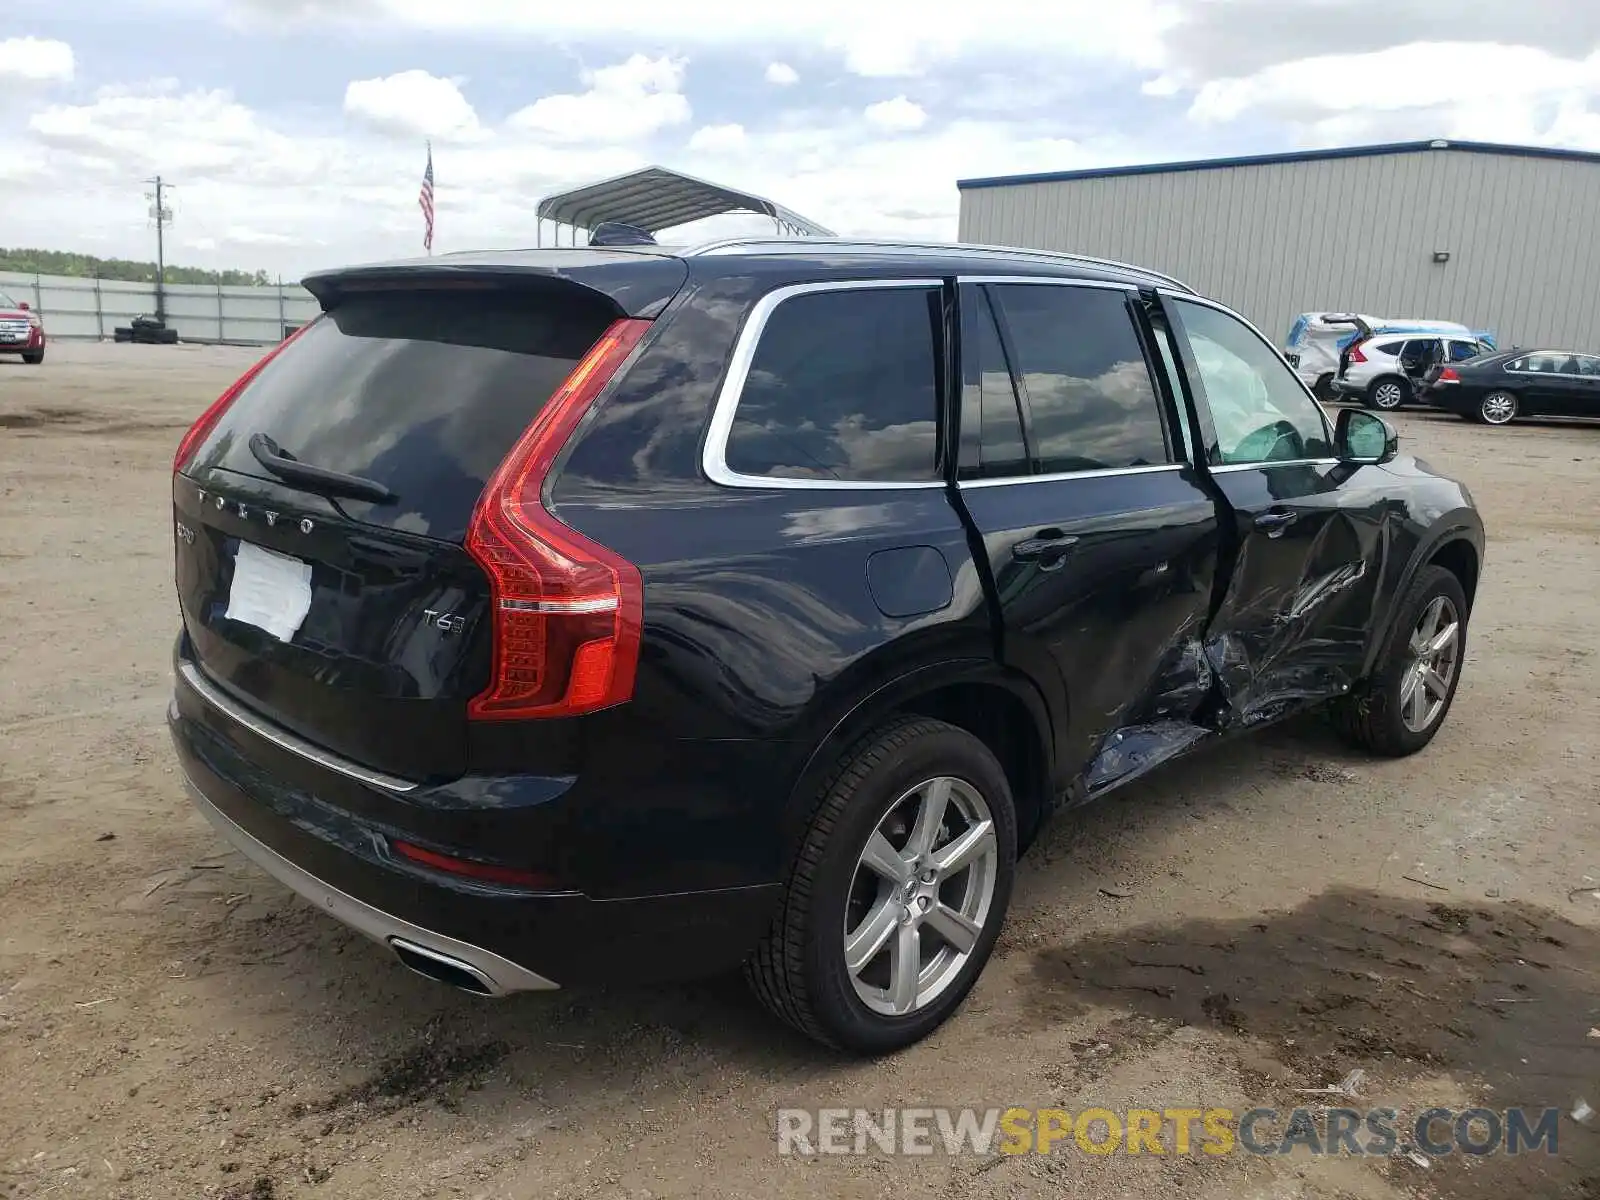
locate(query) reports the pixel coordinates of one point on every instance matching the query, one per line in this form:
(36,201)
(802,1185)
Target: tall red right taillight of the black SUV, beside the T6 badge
(567,612)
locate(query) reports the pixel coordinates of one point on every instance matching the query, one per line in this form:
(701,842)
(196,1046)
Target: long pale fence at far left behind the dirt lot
(201,313)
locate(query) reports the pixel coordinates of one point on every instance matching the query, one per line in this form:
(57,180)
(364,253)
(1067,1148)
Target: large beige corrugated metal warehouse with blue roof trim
(1498,238)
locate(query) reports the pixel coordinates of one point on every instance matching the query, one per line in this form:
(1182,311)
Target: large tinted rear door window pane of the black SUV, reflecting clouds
(1089,390)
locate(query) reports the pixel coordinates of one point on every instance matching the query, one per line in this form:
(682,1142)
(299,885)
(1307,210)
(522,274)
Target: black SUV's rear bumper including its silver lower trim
(505,938)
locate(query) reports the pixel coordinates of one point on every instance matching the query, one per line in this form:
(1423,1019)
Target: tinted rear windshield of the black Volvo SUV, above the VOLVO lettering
(422,391)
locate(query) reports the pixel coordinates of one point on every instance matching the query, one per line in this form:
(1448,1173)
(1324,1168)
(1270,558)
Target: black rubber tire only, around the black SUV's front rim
(1372,718)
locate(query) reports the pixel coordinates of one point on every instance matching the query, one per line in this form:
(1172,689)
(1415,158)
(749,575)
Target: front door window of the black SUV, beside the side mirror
(1262,412)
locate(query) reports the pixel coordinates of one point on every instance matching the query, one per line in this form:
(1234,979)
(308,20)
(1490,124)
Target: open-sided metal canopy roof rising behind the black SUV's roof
(658,199)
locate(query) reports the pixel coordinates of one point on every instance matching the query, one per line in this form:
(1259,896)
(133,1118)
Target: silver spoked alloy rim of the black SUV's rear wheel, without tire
(921,897)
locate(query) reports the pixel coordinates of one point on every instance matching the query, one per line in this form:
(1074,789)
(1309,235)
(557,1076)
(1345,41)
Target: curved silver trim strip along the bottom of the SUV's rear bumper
(500,977)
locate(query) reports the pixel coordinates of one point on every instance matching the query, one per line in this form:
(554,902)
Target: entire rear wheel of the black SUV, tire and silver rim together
(898,892)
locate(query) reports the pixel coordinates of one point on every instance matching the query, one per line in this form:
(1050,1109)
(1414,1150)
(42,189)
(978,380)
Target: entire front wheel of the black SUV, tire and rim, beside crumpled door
(1417,674)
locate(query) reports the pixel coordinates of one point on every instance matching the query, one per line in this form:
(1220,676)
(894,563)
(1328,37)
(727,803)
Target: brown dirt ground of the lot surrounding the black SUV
(1257,921)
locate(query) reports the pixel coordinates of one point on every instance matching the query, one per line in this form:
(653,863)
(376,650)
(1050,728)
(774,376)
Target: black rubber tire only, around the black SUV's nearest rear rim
(799,969)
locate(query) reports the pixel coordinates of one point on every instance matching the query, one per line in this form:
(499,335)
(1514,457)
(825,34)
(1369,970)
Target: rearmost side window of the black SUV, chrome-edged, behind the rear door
(844,386)
